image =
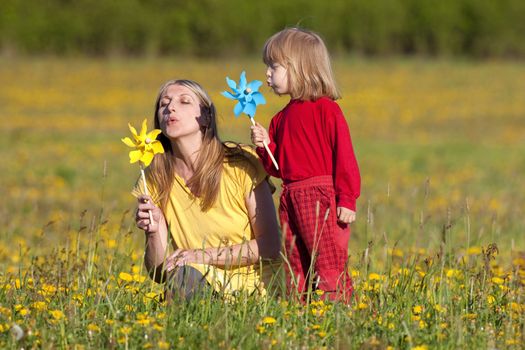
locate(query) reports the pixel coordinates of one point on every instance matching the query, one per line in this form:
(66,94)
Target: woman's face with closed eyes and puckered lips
(179,112)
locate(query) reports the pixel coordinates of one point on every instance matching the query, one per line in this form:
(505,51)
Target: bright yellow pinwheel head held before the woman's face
(145,144)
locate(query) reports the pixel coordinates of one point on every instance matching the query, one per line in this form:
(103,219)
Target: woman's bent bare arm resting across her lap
(265,245)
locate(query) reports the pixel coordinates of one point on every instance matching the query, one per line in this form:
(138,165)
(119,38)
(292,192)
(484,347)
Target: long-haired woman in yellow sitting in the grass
(212,198)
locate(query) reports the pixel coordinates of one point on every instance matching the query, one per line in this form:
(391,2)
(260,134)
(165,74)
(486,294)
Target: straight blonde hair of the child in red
(304,55)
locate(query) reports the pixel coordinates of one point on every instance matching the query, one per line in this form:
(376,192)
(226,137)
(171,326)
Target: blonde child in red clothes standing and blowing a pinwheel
(311,142)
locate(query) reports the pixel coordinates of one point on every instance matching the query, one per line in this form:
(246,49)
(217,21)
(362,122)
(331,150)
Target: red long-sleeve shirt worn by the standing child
(311,138)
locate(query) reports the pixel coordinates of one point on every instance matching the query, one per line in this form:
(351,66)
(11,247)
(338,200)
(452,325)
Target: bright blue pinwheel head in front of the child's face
(246,94)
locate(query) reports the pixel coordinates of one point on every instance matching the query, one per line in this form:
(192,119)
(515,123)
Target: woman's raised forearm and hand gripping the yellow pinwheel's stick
(156,236)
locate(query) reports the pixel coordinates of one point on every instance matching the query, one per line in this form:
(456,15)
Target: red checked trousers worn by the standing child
(316,244)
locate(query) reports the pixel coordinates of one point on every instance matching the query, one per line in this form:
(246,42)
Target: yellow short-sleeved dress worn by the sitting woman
(225,224)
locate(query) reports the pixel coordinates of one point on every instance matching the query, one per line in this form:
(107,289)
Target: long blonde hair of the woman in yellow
(205,182)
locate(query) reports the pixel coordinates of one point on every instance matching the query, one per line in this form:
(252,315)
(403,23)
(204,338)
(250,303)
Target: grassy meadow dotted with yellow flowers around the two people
(437,252)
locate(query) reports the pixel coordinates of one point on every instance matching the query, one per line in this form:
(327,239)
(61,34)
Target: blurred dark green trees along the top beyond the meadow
(479,28)
